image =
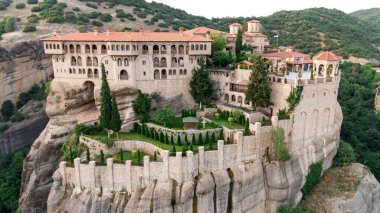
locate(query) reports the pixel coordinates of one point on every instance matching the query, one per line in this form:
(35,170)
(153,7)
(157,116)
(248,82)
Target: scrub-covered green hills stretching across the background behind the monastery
(309,30)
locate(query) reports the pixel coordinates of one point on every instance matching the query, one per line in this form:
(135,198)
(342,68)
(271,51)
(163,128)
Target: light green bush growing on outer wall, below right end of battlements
(281,152)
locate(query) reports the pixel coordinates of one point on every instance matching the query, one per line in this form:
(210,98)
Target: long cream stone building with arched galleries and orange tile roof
(150,61)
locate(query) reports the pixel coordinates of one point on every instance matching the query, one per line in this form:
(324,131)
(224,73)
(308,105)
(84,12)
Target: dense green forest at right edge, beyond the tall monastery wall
(361,127)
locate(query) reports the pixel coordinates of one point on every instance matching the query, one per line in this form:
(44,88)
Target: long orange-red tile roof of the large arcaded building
(128,36)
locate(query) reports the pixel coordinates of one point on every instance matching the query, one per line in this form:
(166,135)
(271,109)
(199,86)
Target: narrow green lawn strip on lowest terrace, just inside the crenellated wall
(136,136)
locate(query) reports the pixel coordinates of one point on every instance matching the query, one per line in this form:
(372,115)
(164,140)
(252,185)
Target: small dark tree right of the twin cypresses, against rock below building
(142,105)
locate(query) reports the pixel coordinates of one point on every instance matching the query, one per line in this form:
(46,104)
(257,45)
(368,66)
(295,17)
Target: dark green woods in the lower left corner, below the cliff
(10,180)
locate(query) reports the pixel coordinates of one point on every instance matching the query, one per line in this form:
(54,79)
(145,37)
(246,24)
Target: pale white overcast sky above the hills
(223,8)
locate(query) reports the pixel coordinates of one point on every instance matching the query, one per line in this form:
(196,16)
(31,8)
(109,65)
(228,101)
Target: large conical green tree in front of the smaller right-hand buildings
(258,91)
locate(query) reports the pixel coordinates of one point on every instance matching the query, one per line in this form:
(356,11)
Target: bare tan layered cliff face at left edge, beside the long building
(22,66)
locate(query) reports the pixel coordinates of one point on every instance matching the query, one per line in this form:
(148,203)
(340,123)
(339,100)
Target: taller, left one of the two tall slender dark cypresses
(105,103)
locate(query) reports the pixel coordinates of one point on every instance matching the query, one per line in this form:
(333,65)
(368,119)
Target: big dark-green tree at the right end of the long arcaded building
(201,84)
